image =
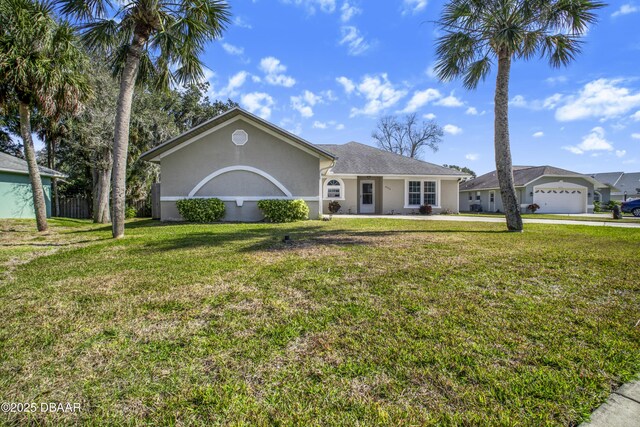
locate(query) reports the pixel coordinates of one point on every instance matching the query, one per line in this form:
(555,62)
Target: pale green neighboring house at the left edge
(16,197)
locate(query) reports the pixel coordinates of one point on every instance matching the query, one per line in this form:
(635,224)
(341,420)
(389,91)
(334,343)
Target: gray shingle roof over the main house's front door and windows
(360,159)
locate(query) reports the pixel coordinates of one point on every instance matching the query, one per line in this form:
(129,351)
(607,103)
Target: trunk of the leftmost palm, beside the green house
(39,203)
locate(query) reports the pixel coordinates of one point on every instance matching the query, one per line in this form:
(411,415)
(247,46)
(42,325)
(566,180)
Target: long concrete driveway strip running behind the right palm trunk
(594,223)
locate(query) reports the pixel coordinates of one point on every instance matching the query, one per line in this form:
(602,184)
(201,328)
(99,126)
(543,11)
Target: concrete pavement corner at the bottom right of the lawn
(621,410)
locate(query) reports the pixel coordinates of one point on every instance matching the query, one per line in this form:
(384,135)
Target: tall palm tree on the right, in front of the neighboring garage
(479,32)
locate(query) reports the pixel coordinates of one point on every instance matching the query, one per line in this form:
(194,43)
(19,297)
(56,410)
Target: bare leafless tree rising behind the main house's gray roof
(407,136)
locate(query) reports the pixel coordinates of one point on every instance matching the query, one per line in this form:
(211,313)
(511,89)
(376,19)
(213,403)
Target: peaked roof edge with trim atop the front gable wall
(222,120)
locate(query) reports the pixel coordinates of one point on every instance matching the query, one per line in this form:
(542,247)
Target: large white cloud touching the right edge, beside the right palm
(603,99)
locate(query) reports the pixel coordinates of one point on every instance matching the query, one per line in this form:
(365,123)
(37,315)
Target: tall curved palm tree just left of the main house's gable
(147,41)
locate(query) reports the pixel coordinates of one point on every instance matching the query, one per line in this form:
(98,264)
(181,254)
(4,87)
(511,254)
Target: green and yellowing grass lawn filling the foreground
(357,322)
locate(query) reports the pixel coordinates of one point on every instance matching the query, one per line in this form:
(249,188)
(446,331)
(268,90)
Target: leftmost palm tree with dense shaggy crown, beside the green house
(42,68)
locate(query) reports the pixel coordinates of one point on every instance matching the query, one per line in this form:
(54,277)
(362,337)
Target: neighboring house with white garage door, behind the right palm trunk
(555,190)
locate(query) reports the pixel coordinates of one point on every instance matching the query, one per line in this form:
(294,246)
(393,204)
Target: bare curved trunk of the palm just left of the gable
(121,134)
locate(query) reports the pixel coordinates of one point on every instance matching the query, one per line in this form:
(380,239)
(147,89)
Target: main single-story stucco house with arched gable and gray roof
(241,159)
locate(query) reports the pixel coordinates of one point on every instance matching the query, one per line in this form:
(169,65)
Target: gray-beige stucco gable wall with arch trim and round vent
(297,170)
